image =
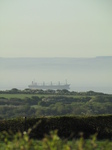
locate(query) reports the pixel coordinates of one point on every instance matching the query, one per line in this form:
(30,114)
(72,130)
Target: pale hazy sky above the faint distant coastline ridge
(55,28)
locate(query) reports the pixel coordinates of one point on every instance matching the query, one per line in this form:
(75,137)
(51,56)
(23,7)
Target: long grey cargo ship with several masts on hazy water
(50,86)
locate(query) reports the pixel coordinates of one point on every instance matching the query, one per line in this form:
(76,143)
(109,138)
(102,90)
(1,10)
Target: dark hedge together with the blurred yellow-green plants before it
(57,133)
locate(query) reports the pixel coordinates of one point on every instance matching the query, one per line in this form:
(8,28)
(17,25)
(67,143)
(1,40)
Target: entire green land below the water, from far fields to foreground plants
(30,116)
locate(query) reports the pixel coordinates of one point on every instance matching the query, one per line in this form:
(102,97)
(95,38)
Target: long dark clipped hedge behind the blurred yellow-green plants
(67,126)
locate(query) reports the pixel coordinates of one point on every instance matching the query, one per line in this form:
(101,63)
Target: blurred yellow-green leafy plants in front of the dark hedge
(51,142)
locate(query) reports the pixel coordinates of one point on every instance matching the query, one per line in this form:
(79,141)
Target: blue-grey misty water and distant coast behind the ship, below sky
(83,74)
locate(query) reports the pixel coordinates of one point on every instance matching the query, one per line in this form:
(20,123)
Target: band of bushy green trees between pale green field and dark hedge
(55,105)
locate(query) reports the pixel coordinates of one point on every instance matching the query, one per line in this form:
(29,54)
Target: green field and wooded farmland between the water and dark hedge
(34,103)
